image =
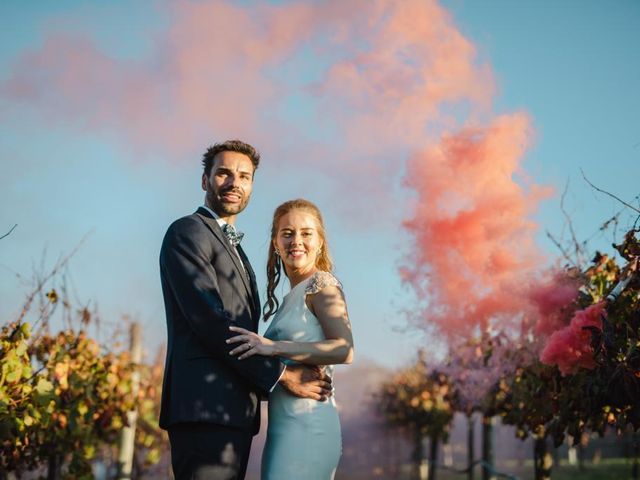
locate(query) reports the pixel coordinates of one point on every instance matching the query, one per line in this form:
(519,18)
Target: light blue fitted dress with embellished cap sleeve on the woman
(303,435)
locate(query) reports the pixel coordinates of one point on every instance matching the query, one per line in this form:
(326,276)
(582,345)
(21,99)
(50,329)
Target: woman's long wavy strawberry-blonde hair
(274,263)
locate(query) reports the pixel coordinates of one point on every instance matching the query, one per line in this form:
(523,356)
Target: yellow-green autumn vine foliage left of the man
(64,399)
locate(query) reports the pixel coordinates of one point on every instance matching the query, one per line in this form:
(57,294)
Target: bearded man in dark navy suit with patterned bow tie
(210,399)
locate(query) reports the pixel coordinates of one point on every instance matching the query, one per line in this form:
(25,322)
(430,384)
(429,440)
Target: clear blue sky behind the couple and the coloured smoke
(573,66)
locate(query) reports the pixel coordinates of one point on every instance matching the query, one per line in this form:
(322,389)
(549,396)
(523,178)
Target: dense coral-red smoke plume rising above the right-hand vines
(473,250)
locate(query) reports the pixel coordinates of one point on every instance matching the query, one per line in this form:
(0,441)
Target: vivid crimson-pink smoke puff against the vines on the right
(570,347)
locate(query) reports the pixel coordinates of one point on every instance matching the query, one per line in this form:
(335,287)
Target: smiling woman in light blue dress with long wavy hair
(312,327)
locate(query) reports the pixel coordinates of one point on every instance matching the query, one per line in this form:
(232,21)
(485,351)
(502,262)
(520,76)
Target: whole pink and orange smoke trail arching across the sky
(391,78)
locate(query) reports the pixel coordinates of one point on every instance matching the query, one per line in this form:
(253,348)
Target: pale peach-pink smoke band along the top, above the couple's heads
(387,69)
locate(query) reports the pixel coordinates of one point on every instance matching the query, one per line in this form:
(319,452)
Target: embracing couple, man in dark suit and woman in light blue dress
(218,368)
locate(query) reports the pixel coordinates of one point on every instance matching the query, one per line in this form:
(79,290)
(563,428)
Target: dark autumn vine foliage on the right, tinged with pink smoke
(574,366)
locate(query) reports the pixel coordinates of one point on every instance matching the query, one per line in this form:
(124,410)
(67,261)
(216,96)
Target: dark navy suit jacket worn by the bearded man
(206,289)
